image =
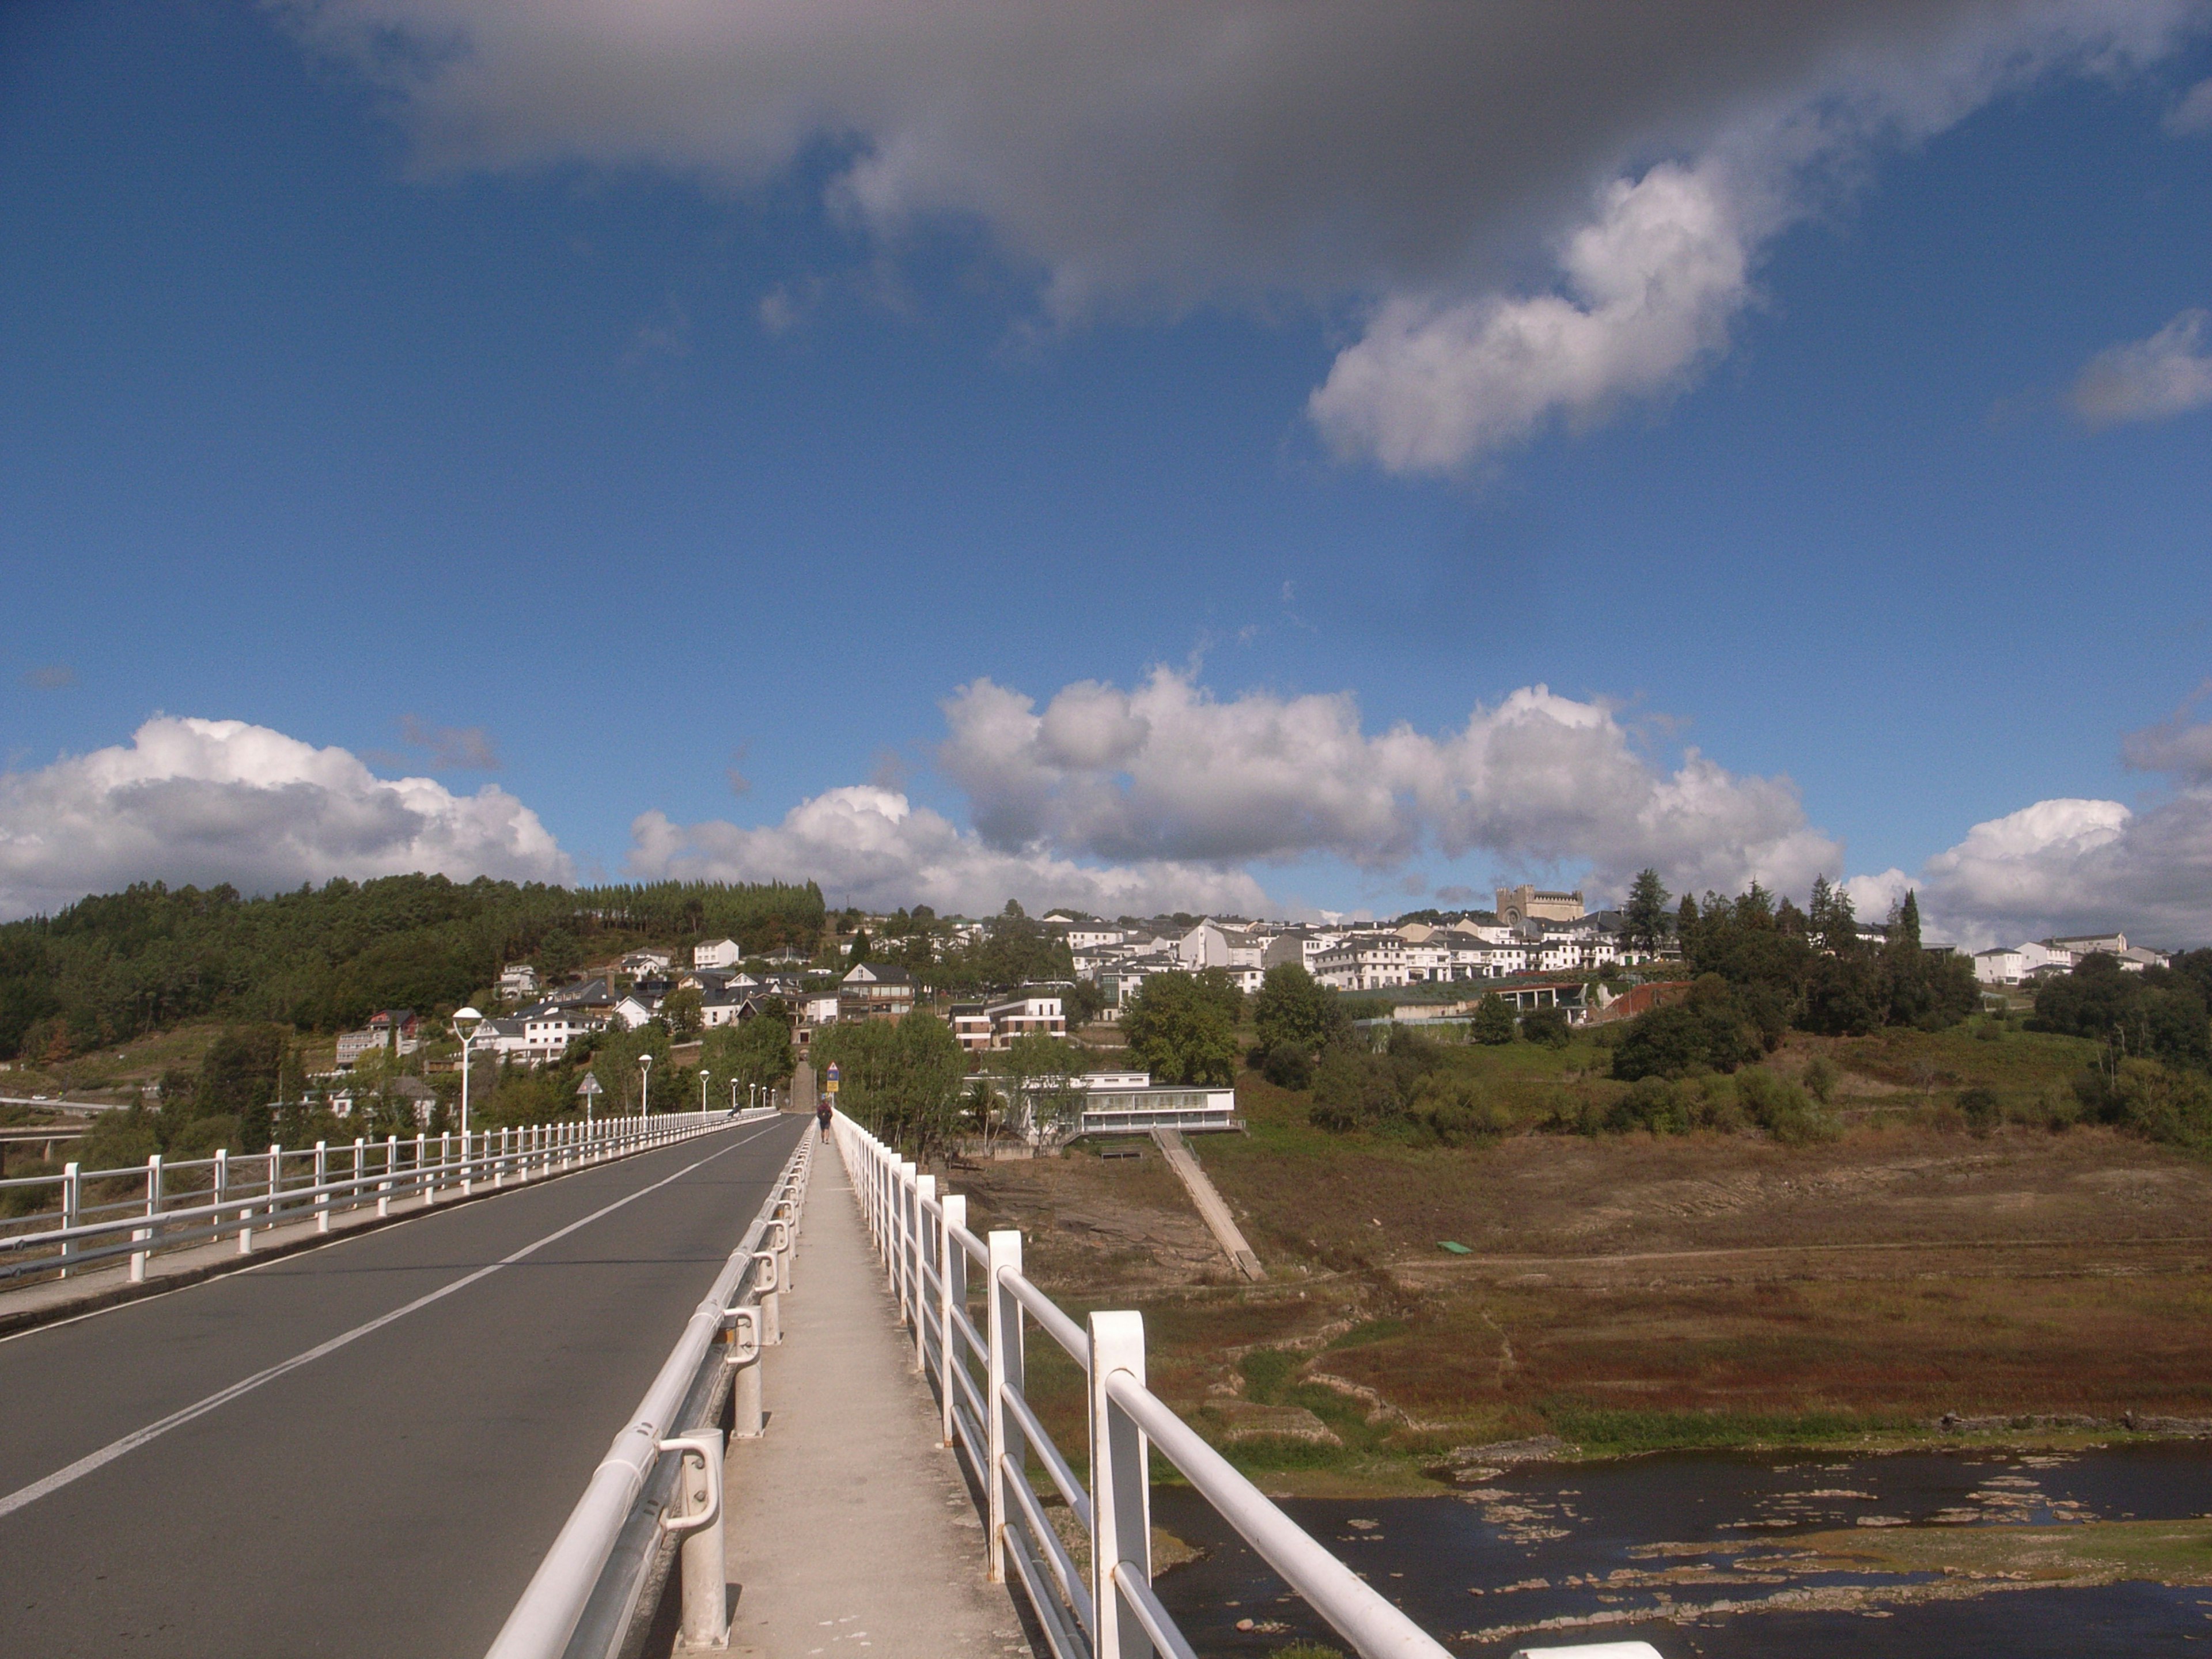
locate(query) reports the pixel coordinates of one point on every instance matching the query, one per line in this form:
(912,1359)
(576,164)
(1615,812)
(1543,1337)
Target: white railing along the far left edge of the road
(98,1215)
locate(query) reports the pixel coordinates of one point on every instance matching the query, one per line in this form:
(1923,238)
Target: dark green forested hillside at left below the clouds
(121,966)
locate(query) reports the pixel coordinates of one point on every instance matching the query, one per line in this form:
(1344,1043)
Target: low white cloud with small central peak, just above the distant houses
(875,848)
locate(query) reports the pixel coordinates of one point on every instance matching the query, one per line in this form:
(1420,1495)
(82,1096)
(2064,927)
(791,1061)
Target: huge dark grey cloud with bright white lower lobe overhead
(1173,152)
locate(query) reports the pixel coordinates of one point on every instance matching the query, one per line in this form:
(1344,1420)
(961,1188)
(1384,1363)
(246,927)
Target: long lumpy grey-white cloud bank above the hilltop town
(1169,773)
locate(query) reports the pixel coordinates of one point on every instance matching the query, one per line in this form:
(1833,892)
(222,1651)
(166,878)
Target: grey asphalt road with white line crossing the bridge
(390,1496)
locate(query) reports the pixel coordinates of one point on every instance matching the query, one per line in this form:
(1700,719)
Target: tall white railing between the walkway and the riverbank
(1109,1611)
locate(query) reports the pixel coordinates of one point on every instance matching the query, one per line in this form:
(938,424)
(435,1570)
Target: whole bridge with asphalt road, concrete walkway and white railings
(696,1384)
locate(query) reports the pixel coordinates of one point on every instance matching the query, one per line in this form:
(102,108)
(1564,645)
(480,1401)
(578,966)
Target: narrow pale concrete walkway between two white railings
(851,1527)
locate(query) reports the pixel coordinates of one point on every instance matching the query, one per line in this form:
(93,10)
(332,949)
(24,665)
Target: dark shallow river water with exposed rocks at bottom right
(1684,1550)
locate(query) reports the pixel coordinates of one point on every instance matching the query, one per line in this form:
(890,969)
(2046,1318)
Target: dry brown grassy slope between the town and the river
(1638,1291)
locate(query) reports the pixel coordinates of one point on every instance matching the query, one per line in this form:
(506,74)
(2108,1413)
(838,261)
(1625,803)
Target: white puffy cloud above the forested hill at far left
(225,802)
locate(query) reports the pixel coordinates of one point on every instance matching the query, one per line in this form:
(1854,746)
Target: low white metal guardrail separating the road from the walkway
(662,1474)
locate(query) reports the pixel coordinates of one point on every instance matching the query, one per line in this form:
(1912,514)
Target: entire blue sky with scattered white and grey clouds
(1136,457)
